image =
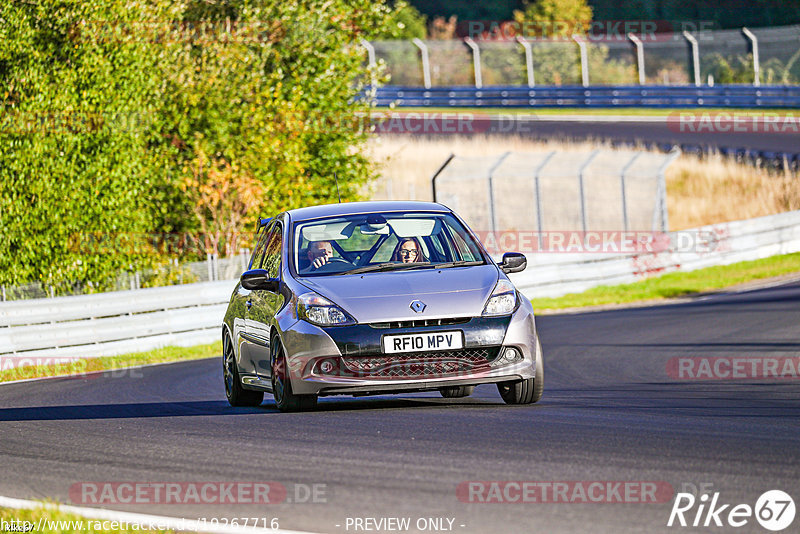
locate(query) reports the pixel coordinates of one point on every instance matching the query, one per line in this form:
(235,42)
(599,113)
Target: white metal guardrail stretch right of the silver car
(556,274)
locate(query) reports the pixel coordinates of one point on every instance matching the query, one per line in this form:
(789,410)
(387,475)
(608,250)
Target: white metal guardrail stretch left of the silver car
(118,322)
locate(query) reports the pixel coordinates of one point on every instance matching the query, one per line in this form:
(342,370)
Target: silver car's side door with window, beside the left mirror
(263,305)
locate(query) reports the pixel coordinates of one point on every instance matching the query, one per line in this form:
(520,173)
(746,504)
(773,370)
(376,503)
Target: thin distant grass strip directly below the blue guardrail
(632,112)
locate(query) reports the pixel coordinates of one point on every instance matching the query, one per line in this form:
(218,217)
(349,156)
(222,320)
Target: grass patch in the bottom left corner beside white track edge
(58,522)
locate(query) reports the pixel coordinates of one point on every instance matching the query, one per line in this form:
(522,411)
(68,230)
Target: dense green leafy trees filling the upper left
(109,107)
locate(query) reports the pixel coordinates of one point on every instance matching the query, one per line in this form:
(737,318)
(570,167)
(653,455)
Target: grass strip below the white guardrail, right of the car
(679,284)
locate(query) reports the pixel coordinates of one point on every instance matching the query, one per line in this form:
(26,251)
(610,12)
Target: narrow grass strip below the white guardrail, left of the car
(108,363)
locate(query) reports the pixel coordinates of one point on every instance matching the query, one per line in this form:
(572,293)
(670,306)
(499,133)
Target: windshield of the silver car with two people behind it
(375,242)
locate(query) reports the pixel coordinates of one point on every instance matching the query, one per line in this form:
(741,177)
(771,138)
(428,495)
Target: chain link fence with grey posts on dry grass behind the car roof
(574,191)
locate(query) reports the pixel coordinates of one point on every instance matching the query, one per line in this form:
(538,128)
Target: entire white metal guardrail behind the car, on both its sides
(37,331)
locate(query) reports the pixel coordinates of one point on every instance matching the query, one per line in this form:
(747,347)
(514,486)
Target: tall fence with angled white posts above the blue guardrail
(763,55)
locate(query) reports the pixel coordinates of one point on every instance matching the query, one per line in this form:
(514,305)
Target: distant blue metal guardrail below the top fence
(654,96)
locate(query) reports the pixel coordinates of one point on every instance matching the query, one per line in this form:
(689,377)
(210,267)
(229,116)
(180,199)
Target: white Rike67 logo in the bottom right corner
(774,510)
